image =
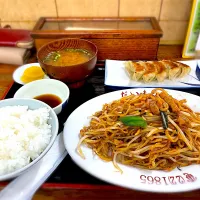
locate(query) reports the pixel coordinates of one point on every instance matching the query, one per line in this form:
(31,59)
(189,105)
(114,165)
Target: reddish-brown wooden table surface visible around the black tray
(90,192)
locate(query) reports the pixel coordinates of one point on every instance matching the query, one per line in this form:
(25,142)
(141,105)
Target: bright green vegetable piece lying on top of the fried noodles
(133,121)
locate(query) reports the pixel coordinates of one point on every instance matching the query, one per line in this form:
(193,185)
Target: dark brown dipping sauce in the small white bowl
(50,99)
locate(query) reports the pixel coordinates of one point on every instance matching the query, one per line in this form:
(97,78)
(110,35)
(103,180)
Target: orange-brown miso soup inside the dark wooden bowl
(67,57)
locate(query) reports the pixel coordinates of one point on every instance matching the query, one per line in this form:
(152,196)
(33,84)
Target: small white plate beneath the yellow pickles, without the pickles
(20,70)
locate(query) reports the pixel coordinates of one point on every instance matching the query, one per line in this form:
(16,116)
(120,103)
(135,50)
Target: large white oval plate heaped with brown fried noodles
(144,139)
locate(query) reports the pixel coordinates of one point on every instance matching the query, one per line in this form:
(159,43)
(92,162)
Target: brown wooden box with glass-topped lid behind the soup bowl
(135,38)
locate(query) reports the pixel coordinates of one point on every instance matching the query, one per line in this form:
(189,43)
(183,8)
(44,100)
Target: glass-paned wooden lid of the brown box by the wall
(129,27)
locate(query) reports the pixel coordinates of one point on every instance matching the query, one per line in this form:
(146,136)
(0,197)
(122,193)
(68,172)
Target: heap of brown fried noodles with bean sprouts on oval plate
(152,147)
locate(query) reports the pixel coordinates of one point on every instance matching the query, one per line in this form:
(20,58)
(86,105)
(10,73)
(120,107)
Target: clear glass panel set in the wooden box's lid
(97,25)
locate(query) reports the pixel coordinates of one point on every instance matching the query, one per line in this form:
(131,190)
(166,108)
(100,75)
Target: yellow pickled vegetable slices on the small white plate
(31,74)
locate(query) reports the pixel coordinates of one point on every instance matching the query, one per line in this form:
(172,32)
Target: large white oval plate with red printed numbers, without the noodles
(134,178)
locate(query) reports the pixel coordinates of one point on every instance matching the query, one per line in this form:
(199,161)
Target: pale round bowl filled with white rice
(28,129)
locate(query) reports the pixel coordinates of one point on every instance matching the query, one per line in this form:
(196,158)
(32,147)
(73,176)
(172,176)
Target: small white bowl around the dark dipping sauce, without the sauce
(45,86)
